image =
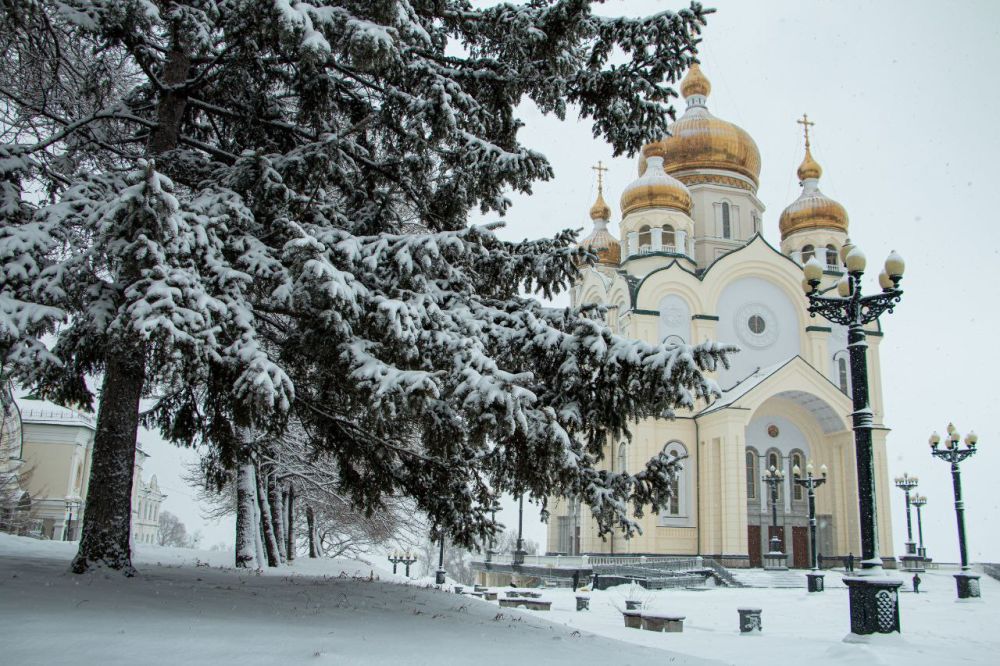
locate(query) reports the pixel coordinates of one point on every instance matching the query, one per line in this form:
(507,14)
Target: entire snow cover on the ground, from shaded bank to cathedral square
(188,606)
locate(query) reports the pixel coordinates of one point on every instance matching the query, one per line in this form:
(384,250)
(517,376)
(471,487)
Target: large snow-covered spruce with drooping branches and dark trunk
(211,203)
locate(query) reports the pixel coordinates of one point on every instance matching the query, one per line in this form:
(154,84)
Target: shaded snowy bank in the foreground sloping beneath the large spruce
(176,612)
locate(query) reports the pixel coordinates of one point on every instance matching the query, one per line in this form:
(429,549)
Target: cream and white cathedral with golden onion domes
(689,264)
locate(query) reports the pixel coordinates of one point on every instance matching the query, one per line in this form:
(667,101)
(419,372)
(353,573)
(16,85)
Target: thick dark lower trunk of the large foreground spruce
(108,516)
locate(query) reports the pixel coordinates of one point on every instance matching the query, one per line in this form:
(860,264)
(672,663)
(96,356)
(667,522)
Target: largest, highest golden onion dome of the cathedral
(699,140)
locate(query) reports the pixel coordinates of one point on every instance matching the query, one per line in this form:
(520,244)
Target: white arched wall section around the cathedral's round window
(758,316)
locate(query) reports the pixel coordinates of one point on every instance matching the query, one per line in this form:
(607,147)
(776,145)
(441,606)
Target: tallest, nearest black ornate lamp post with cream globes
(874,599)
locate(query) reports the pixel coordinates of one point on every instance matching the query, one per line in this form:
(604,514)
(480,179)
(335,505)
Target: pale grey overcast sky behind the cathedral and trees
(905,105)
